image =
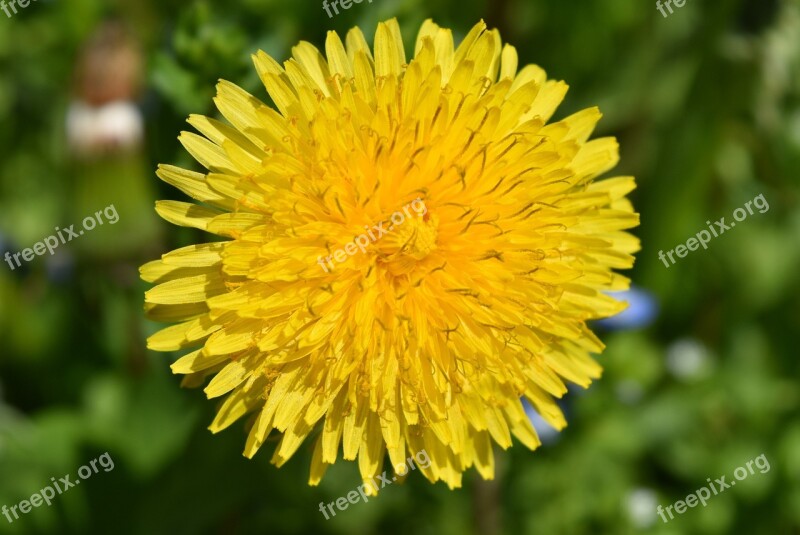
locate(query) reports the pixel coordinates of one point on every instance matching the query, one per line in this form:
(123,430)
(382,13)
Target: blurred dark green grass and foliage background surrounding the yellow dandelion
(706,106)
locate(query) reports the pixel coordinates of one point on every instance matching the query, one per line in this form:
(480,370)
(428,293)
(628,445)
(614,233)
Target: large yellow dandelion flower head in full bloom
(324,314)
